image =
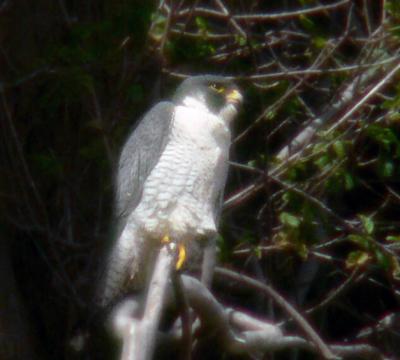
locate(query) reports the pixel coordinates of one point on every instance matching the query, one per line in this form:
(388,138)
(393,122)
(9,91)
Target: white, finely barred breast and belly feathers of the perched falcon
(181,193)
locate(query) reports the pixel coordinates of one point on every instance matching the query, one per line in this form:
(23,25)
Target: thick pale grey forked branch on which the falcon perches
(237,331)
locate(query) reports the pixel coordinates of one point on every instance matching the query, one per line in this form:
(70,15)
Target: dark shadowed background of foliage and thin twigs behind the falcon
(319,223)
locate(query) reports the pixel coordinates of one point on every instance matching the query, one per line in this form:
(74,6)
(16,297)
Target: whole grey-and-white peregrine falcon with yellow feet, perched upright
(171,177)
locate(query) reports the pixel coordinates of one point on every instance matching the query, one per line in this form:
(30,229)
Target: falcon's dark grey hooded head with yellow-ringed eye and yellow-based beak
(217,94)
